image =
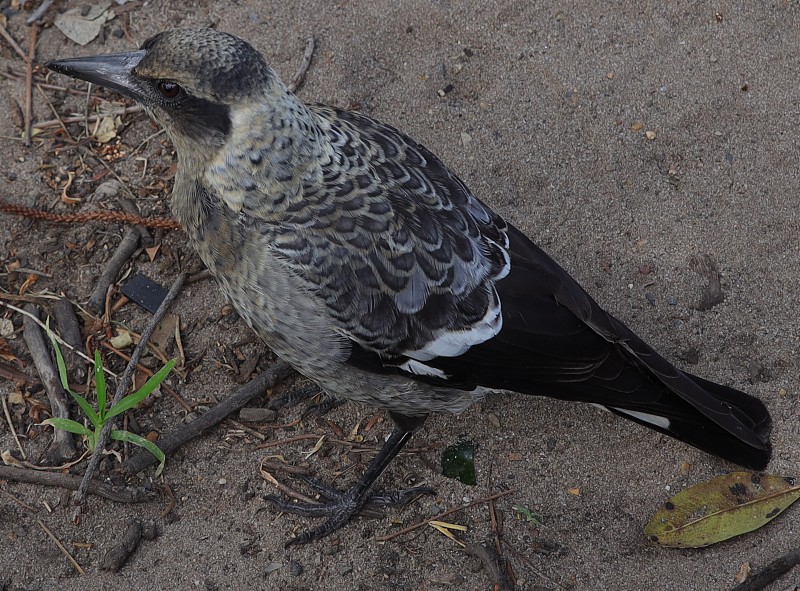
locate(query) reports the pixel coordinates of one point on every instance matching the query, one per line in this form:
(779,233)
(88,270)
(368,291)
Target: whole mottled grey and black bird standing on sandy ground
(370,267)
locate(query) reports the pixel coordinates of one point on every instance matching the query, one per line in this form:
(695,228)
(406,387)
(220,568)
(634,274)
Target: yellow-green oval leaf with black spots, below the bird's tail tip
(721,508)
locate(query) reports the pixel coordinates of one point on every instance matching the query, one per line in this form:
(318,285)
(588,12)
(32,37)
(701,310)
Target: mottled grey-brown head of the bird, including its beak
(190,80)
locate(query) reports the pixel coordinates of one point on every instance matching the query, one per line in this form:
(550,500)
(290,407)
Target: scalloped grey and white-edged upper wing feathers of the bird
(403,254)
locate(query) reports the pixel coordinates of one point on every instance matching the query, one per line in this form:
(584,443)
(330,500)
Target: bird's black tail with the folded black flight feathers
(557,341)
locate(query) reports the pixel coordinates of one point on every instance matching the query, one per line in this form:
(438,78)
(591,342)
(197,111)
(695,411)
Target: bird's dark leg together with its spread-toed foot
(339,506)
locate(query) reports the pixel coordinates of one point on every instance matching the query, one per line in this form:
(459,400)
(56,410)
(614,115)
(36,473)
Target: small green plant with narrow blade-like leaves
(98,418)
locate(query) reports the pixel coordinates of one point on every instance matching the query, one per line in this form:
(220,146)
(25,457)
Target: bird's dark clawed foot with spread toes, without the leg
(341,506)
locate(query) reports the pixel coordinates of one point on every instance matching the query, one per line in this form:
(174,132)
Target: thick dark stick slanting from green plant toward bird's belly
(173,440)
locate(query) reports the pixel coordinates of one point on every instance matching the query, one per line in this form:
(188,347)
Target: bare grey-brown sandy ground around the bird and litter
(545,118)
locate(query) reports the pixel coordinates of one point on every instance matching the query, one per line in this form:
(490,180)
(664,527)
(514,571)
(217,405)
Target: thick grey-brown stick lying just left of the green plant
(62,450)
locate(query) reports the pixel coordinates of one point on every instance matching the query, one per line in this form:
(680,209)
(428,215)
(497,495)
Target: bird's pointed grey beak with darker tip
(113,71)
